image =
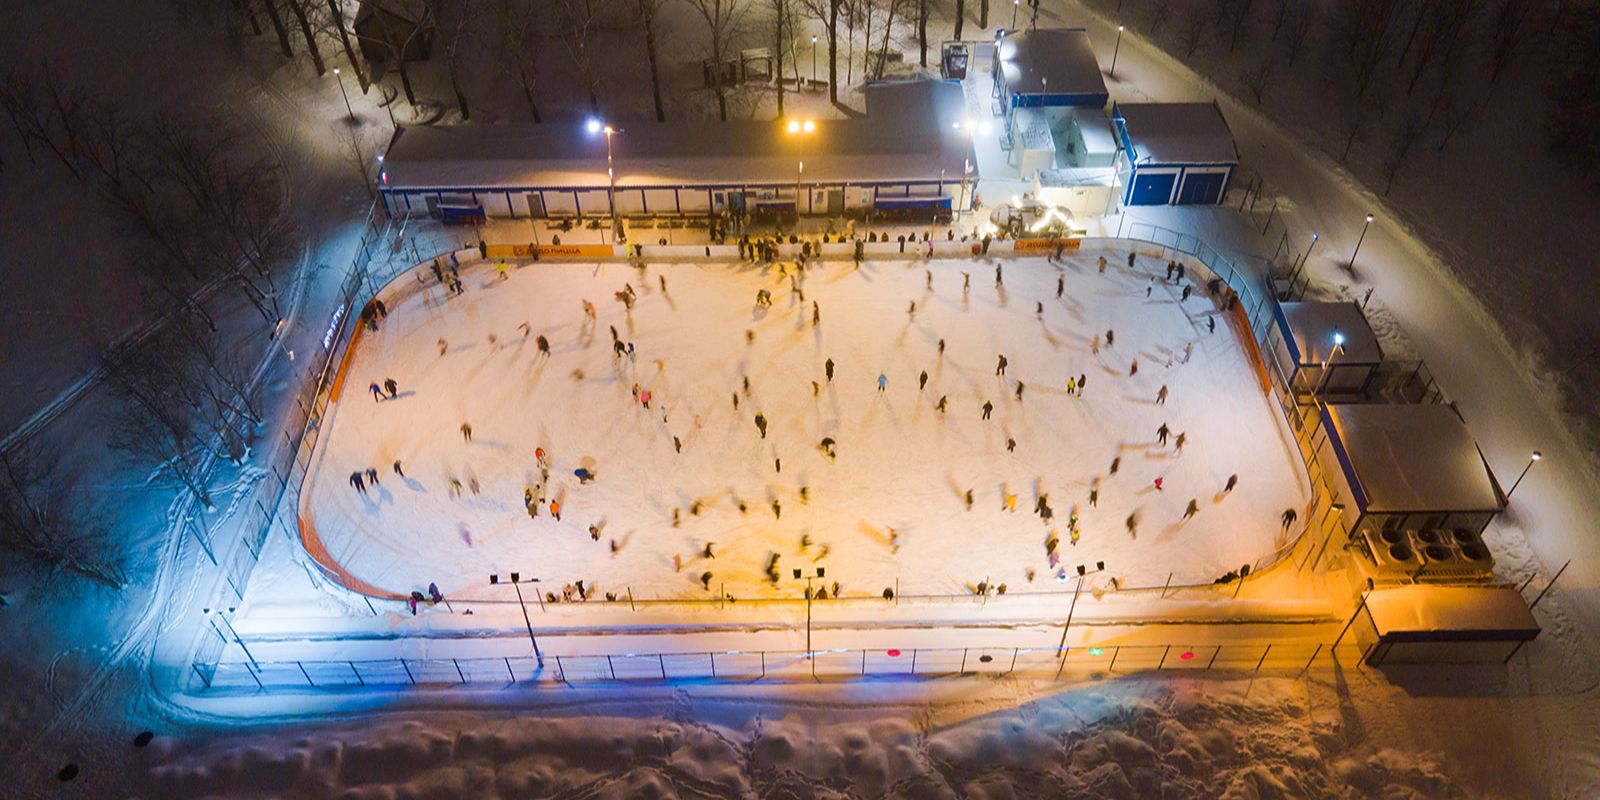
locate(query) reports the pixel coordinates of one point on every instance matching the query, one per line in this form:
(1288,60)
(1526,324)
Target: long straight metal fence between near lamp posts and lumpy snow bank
(780,665)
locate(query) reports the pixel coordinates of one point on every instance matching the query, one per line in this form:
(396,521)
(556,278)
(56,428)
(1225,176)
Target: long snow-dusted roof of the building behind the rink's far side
(910,134)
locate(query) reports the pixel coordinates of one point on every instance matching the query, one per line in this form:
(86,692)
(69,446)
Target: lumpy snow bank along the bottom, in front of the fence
(1124,740)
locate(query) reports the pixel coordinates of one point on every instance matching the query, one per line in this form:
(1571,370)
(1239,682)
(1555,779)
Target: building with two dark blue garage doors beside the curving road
(1175,153)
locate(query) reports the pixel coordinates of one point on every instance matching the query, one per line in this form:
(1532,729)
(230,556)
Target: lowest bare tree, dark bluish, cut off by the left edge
(46,519)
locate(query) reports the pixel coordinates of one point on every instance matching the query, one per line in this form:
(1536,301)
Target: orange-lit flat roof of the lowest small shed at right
(1412,610)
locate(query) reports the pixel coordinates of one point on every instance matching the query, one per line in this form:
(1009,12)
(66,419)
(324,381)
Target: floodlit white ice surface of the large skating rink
(900,465)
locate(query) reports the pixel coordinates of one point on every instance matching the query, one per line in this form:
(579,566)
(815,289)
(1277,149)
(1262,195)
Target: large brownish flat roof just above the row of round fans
(1412,458)
